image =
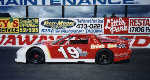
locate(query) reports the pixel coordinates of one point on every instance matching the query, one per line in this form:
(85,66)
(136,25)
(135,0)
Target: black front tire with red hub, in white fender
(35,56)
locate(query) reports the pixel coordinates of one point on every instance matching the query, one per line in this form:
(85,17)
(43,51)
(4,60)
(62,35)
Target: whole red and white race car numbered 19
(77,48)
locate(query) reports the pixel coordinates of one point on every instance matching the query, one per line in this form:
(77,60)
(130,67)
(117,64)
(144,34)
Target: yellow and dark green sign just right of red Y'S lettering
(29,25)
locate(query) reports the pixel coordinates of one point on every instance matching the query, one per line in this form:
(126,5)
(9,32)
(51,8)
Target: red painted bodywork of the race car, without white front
(69,47)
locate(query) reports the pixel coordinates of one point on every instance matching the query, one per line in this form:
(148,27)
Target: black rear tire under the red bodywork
(104,58)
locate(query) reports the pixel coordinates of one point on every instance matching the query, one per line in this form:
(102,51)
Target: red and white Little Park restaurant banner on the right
(118,25)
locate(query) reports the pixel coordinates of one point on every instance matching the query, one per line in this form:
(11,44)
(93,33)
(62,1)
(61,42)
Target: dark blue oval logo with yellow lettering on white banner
(58,23)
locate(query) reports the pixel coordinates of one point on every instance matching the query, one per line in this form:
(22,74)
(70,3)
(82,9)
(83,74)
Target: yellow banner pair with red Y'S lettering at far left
(19,25)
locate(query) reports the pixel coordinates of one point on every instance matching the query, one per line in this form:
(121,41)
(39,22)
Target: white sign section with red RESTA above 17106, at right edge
(139,25)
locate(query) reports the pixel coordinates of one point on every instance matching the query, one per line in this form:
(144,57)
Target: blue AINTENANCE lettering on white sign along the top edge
(66,2)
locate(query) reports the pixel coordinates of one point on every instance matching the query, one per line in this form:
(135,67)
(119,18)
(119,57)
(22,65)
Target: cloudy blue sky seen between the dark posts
(76,11)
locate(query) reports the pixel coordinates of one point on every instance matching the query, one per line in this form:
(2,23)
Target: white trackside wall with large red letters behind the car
(141,41)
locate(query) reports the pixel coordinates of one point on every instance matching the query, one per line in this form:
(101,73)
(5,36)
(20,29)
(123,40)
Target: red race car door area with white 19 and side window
(75,48)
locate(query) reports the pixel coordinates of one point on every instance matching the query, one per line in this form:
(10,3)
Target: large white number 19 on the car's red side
(71,50)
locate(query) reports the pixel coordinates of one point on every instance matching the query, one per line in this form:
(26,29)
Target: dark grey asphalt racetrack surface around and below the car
(137,69)
